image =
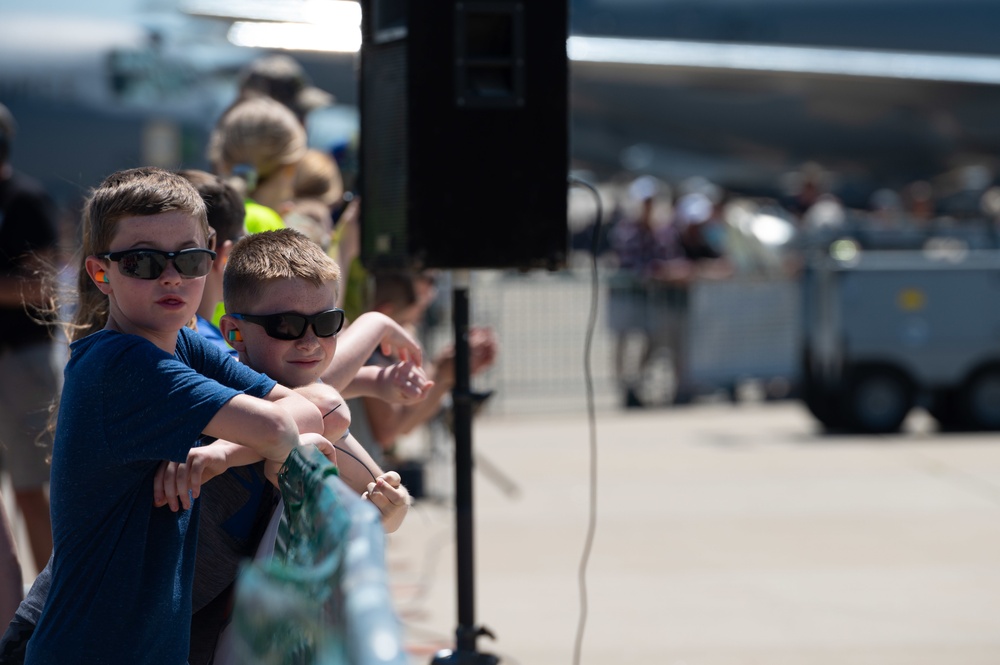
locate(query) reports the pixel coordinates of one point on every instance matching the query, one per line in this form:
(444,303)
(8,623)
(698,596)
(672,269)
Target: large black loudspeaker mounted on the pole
(464,147)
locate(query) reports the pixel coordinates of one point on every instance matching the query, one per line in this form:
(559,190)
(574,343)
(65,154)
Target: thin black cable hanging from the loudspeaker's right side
(592,420)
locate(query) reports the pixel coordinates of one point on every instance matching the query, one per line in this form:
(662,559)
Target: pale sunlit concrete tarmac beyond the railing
(725,535)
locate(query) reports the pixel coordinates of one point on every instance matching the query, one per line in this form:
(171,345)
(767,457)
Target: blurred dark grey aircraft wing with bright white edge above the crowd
(746,114)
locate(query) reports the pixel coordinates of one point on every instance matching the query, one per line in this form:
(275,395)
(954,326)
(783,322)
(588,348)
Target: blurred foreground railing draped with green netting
(323,599)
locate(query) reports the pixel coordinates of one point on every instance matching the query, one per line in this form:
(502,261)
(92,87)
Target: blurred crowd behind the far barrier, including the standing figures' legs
(659,238)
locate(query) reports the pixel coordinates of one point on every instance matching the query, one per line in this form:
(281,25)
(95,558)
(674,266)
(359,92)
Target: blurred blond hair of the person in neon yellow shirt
(254,139)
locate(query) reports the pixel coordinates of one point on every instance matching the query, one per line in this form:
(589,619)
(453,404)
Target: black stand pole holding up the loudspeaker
(467,632)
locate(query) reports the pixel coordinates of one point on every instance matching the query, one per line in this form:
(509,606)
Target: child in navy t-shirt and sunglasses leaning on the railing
(140,387)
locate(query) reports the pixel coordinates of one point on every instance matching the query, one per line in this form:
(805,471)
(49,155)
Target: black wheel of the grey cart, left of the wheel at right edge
(878,399)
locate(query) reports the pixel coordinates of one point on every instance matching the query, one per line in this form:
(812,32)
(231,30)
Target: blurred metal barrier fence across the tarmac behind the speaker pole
(738,329)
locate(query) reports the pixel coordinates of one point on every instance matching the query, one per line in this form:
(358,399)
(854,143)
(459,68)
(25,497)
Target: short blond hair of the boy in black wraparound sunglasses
(271,255)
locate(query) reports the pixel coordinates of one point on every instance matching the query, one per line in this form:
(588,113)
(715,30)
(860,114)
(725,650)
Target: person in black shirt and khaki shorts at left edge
(28,243)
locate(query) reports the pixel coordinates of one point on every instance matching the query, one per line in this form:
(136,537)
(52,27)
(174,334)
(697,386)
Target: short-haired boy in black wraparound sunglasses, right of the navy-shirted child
(280,291)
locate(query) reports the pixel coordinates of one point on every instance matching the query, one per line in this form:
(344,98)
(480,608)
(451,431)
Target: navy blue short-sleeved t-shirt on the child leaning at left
(121,568)
